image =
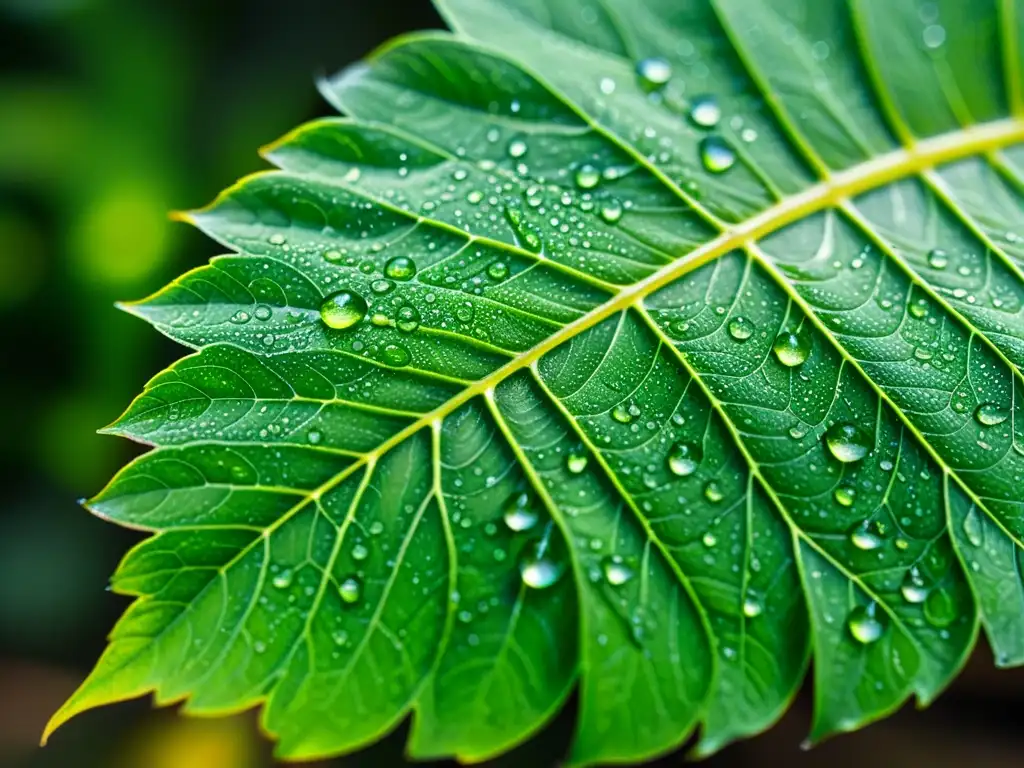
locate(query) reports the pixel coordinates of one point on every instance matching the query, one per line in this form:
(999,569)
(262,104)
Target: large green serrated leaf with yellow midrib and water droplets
(645,350)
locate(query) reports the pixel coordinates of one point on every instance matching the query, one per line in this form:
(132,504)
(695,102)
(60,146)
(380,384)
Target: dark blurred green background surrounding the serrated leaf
(114,113)
